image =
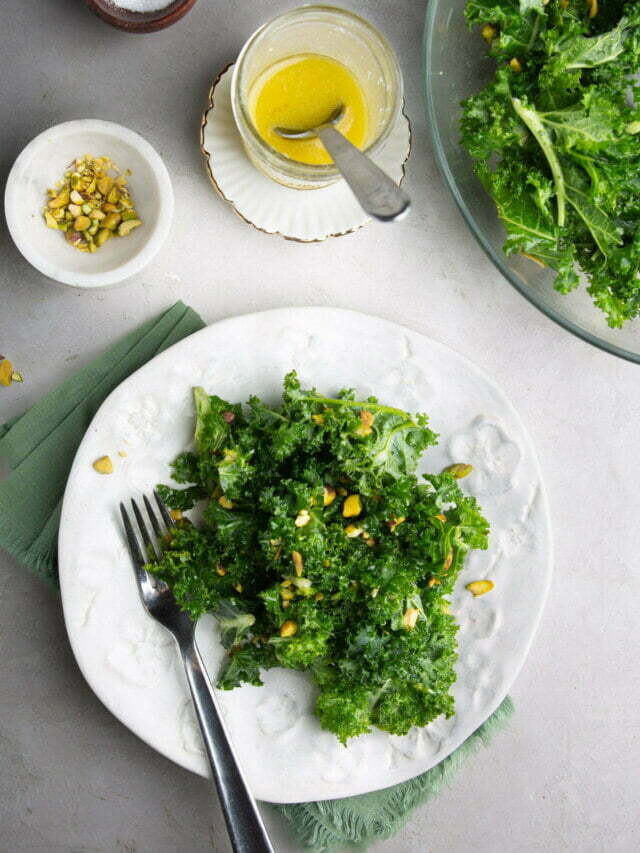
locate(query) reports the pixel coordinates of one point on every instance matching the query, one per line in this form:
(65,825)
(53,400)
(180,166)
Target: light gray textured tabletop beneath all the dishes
(565,775)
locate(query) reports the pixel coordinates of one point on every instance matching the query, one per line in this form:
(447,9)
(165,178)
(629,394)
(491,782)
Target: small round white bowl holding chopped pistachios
(43,163)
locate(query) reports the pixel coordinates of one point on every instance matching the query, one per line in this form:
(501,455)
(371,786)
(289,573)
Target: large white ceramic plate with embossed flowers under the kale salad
(130,662)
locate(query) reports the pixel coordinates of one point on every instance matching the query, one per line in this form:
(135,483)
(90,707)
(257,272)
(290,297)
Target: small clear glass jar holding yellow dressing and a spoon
(337,34)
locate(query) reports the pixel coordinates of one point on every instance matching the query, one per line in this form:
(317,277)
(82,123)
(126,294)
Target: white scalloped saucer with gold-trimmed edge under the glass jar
(304,216)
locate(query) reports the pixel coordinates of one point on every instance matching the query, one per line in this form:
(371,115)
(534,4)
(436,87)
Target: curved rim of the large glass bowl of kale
(498,259)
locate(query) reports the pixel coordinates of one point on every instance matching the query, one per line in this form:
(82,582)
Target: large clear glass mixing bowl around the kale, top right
(456,67)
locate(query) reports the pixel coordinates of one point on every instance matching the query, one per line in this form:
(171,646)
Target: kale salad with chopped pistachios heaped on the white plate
(318,548)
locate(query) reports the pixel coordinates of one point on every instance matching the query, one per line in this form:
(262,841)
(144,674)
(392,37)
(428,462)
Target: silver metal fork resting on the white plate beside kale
(244,823)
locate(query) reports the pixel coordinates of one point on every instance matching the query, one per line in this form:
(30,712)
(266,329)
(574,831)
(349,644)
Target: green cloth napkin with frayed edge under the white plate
(40,446)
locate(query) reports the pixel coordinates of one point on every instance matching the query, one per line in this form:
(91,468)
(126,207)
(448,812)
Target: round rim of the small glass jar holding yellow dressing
(306,171)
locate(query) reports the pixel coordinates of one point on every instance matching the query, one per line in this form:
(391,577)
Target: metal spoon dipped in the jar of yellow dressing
(377,193)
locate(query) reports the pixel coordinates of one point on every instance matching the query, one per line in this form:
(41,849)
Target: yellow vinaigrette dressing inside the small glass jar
(301,92)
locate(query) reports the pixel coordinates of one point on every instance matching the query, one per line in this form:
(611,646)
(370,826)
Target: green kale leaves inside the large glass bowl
(555,137)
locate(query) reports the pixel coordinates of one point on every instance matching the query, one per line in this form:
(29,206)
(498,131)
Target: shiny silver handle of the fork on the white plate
(244,823)
